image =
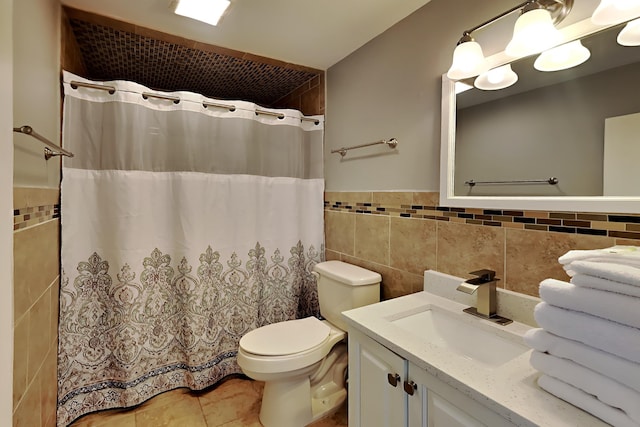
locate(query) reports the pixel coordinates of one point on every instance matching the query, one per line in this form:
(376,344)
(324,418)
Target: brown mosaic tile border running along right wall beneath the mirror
(596,224)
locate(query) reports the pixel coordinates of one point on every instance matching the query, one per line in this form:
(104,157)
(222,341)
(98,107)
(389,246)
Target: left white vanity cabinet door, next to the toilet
(376,375)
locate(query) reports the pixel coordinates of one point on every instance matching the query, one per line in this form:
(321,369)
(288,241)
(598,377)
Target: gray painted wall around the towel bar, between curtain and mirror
(391,87)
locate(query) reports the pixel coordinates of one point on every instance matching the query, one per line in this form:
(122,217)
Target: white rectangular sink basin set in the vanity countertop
(467,337)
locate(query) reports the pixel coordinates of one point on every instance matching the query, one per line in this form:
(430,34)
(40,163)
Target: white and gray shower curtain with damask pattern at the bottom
(184,226)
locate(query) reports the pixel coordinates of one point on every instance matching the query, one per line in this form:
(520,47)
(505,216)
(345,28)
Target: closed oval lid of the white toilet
(286,338)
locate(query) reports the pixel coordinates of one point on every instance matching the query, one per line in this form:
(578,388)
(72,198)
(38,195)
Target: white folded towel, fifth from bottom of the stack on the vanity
(617,307)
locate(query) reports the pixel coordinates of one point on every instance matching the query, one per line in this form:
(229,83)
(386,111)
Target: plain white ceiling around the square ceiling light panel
(313,33)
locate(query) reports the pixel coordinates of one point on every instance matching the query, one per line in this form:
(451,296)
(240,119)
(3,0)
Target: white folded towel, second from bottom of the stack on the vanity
(604,388)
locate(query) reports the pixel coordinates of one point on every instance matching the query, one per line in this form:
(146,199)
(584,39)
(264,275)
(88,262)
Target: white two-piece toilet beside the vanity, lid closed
(303,362)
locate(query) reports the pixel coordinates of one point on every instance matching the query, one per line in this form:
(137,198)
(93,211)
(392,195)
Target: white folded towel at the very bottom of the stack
(586,401)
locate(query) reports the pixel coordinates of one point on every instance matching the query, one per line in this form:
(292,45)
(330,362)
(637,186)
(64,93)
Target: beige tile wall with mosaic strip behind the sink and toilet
(401,234)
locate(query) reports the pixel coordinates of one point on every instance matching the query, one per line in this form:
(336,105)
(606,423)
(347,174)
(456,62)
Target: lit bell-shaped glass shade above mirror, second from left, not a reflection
(533,32)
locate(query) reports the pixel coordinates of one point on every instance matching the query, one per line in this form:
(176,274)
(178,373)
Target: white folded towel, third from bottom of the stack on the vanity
(617,368)
